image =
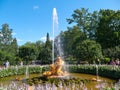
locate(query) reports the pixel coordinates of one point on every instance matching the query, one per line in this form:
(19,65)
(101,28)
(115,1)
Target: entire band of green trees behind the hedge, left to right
(102,27)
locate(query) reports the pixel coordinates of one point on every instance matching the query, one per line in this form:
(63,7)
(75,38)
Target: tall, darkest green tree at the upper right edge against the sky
(108,30)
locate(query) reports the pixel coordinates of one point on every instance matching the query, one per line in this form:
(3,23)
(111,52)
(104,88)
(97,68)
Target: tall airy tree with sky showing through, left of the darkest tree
(86,21)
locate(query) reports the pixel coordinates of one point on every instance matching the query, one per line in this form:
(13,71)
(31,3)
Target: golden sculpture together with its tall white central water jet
(56,67)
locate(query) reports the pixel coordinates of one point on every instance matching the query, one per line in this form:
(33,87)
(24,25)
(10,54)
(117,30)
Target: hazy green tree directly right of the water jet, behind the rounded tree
(70,38)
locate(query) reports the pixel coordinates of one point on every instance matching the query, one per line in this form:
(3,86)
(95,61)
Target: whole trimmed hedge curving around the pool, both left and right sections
(109,71)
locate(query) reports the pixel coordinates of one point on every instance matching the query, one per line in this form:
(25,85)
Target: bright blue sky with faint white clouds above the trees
(31,20)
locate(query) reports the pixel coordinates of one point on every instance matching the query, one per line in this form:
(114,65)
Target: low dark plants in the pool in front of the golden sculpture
(64,81)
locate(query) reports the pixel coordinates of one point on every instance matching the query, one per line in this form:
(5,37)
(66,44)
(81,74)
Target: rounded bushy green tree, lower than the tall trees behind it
(88,50)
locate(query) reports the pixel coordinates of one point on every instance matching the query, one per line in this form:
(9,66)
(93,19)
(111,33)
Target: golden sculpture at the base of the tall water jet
(56,69)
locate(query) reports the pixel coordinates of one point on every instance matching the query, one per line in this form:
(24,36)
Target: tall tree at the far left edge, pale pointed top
(8,44)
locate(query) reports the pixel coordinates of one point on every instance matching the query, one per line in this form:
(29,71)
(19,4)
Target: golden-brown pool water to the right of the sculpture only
(94,84)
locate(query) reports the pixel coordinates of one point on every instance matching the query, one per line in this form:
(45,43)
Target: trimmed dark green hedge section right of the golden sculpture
(109,71)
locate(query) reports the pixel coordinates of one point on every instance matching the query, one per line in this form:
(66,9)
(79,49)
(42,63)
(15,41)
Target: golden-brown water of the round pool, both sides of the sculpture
(93,84)
